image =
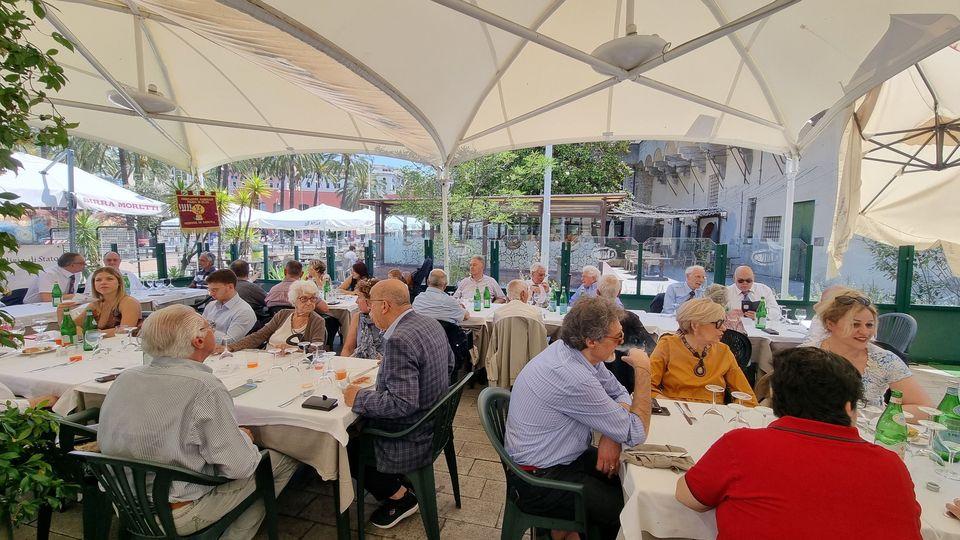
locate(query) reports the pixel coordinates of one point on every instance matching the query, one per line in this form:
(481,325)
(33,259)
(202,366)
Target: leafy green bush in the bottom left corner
(28,459)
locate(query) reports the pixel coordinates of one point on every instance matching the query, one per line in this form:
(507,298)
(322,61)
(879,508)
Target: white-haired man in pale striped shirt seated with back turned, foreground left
(175,411)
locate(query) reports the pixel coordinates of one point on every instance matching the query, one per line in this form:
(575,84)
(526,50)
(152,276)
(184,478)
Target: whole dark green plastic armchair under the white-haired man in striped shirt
(146,514)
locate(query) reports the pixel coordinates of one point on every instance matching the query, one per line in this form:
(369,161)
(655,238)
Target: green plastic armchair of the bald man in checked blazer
(424,483)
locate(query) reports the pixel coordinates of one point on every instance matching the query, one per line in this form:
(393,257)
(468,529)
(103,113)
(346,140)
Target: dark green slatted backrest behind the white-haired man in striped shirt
(143,508)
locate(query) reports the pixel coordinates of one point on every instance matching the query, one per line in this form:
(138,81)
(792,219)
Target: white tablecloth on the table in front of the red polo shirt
(651,507)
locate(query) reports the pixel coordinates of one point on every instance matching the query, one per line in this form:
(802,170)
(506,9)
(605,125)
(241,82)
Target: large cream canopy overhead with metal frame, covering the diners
(442,81)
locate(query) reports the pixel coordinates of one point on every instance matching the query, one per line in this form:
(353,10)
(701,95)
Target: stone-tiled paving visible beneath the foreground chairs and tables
(306,506)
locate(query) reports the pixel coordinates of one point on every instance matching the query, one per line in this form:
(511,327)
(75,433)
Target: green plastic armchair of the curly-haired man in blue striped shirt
(493,405)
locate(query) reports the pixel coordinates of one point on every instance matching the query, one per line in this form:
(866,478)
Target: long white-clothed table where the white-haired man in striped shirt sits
(316,438)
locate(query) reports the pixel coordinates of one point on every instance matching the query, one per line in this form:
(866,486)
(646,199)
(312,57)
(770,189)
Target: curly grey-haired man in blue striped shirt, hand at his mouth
(560,398)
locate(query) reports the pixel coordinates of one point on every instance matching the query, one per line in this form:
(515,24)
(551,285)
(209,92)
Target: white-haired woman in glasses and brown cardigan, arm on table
(301,321)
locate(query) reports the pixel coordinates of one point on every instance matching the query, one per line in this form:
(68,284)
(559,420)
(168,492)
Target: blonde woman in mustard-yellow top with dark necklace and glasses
(683,364)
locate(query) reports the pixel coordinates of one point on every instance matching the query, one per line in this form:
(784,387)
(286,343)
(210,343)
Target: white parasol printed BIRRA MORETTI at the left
(91,192)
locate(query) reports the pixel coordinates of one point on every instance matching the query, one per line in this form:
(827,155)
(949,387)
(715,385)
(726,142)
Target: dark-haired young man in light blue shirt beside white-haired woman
(230,316)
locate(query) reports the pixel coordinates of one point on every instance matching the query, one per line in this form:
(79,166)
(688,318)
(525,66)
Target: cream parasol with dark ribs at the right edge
(900,164)
